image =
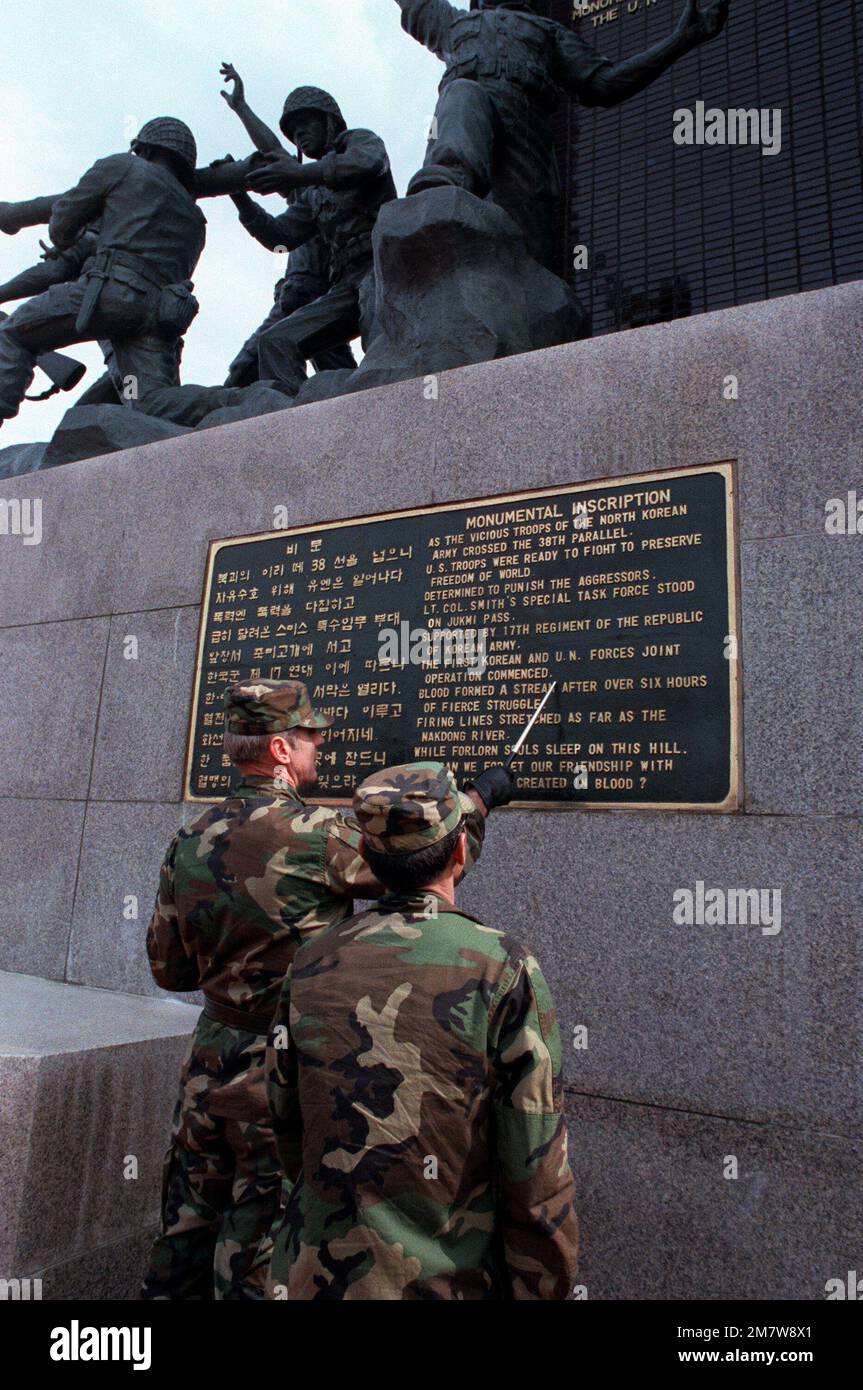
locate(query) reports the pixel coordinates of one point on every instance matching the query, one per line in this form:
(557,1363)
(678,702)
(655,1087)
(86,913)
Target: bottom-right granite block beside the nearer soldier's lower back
(659,1221)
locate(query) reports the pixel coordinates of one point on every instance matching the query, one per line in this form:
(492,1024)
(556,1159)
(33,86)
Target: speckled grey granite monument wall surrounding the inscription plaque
(705,1043)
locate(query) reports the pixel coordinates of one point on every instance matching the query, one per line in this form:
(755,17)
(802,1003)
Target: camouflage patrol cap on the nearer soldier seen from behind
(409,808)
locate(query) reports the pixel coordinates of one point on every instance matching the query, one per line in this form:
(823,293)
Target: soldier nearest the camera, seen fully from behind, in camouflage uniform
(415,1084)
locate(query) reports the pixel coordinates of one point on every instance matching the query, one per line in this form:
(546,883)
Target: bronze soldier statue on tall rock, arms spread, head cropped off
(507,70)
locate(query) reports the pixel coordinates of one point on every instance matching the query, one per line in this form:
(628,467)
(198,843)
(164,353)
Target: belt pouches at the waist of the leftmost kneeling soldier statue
(131,300)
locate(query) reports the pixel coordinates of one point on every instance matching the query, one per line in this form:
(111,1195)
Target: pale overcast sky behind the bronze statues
(83,76)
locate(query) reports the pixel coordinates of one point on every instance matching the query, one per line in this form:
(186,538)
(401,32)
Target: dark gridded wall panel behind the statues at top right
(682,230)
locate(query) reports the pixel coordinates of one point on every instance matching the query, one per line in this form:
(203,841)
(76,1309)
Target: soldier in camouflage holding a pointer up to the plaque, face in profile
(240,890)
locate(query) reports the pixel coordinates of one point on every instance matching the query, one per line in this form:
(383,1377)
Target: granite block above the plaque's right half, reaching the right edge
(654,398)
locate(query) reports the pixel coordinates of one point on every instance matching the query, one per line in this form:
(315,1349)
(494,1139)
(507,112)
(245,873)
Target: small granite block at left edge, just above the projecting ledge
(38,864)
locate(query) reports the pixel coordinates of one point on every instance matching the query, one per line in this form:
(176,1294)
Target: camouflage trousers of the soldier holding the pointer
(222,1182)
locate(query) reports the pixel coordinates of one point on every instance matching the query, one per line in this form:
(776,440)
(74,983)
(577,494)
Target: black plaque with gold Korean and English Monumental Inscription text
(434,633)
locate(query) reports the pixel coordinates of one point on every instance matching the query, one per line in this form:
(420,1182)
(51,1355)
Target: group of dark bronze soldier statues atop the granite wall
(127,238)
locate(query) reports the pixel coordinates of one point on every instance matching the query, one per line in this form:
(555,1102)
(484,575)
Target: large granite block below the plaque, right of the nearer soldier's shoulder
(723,1020)
